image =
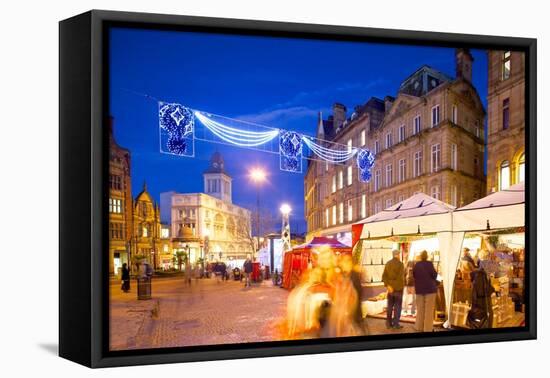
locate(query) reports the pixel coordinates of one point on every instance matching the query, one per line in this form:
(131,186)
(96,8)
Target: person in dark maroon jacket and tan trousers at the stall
(425,286)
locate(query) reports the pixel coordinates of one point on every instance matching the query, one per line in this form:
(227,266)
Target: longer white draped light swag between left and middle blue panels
(241,138)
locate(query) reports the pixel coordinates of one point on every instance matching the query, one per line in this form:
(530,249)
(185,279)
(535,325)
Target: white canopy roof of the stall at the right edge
(500,210)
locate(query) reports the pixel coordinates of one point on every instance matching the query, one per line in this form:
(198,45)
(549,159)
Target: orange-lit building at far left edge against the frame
(120,204)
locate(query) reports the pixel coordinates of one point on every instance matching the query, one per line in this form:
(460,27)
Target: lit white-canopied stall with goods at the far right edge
(493,229)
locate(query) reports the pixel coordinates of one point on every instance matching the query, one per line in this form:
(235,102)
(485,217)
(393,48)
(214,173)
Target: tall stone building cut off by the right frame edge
(506,119)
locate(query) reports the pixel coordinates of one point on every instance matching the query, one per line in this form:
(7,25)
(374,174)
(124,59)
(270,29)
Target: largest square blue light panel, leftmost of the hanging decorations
(176,124)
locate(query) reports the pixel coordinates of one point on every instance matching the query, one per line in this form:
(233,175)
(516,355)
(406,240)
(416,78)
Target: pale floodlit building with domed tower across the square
(208,225)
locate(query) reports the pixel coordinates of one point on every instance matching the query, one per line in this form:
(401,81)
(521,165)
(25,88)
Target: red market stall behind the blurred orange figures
(300,257)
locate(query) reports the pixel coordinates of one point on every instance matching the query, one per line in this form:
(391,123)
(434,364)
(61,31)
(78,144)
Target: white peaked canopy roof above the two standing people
(419,214)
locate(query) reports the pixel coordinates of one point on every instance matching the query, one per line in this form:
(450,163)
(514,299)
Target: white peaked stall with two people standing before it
(410,226)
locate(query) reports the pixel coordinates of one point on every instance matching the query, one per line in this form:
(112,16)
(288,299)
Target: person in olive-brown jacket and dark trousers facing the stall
(394,281)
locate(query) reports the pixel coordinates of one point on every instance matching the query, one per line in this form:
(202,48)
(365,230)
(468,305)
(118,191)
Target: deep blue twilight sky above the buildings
(278,82)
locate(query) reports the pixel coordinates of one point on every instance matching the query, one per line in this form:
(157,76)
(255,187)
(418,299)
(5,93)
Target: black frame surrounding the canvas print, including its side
(83,167)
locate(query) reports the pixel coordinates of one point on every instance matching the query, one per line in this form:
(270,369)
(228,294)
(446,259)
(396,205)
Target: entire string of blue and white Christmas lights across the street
(177,135)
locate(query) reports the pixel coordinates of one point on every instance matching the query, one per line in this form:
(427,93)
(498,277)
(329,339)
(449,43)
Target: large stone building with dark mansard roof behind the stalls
(429,138)
